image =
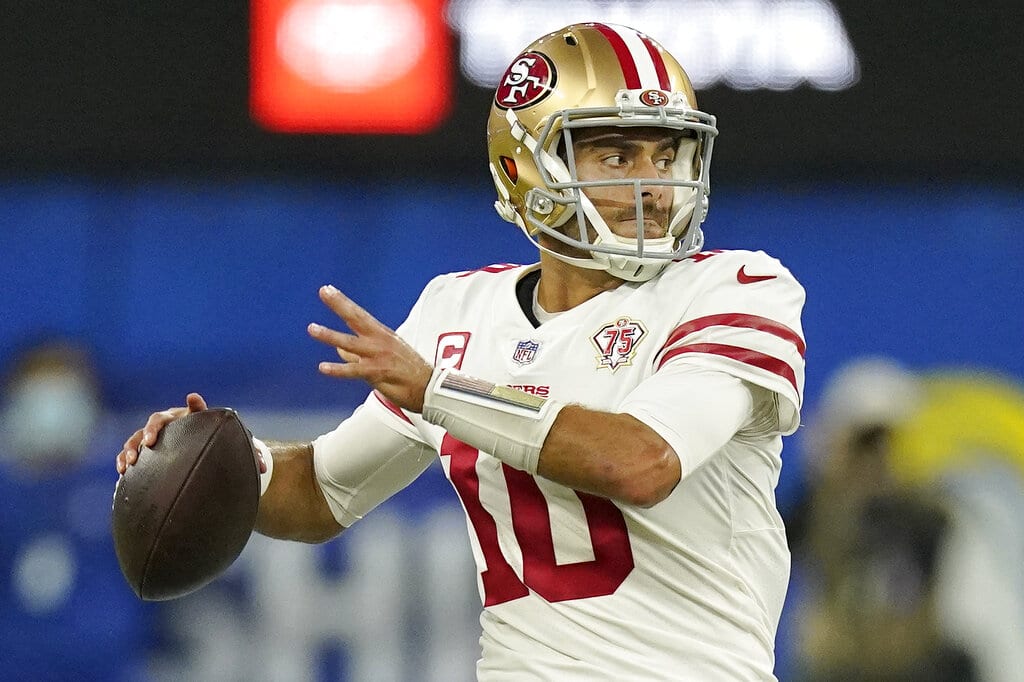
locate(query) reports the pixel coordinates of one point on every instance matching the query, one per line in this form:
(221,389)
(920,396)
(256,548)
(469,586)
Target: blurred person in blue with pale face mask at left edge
(66,612)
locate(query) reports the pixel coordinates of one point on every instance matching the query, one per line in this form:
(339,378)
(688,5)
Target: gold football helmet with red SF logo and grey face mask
(590,75)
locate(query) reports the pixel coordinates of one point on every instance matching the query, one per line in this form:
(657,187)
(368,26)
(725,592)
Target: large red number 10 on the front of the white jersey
(532,524)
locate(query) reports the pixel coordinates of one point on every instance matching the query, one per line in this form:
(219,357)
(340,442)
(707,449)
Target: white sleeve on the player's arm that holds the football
(364,462)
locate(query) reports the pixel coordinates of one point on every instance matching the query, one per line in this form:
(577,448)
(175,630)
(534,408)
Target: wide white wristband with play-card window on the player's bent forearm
(501,421)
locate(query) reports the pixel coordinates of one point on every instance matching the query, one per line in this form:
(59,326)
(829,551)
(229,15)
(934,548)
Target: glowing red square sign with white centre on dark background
(350,66)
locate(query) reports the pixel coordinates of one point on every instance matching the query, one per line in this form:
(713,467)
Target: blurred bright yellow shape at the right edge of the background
(963,419)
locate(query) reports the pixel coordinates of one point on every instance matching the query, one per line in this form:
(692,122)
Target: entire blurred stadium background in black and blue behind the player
(178,180)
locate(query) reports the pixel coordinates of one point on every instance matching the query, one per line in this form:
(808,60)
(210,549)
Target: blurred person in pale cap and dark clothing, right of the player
(869,545)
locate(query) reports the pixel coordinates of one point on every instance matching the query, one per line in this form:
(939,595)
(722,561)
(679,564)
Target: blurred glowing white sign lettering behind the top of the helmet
(742,45)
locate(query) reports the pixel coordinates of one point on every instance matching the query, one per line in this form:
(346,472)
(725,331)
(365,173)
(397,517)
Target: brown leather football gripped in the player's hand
(186,510)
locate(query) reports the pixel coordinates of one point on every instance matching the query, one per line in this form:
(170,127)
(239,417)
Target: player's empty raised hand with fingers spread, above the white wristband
(372,353)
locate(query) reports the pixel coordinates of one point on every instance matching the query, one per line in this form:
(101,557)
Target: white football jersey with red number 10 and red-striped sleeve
(576,587)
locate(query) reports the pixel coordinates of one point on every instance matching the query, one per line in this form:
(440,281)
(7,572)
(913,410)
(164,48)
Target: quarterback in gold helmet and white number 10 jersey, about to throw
(612,417)
